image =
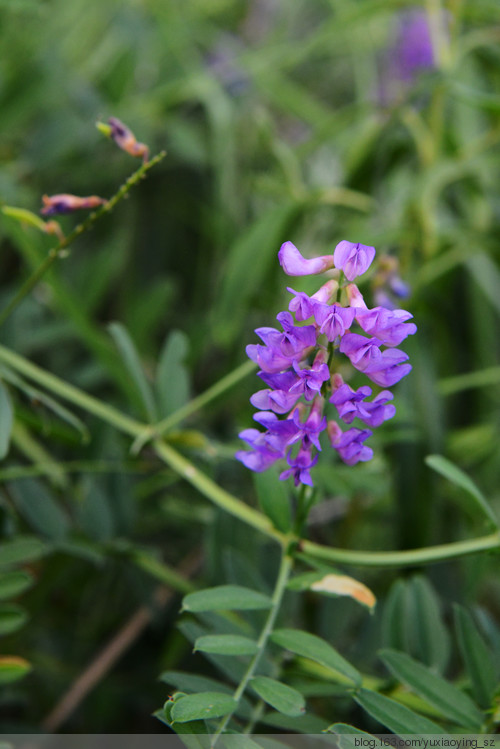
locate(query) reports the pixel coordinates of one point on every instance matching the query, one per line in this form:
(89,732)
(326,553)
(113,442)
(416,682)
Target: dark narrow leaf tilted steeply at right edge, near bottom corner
(477,657)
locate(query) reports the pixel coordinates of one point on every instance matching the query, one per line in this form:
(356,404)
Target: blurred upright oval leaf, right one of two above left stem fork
(172,376)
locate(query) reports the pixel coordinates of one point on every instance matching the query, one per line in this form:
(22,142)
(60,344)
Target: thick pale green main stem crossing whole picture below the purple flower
(228,502)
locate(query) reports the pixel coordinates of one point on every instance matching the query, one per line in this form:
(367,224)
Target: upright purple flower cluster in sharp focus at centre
(298,367)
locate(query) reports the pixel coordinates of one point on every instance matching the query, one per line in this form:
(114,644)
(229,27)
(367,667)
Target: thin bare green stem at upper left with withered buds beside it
(59,251)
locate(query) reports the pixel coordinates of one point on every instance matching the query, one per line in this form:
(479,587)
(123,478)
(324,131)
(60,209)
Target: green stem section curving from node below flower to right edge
(410,557)
